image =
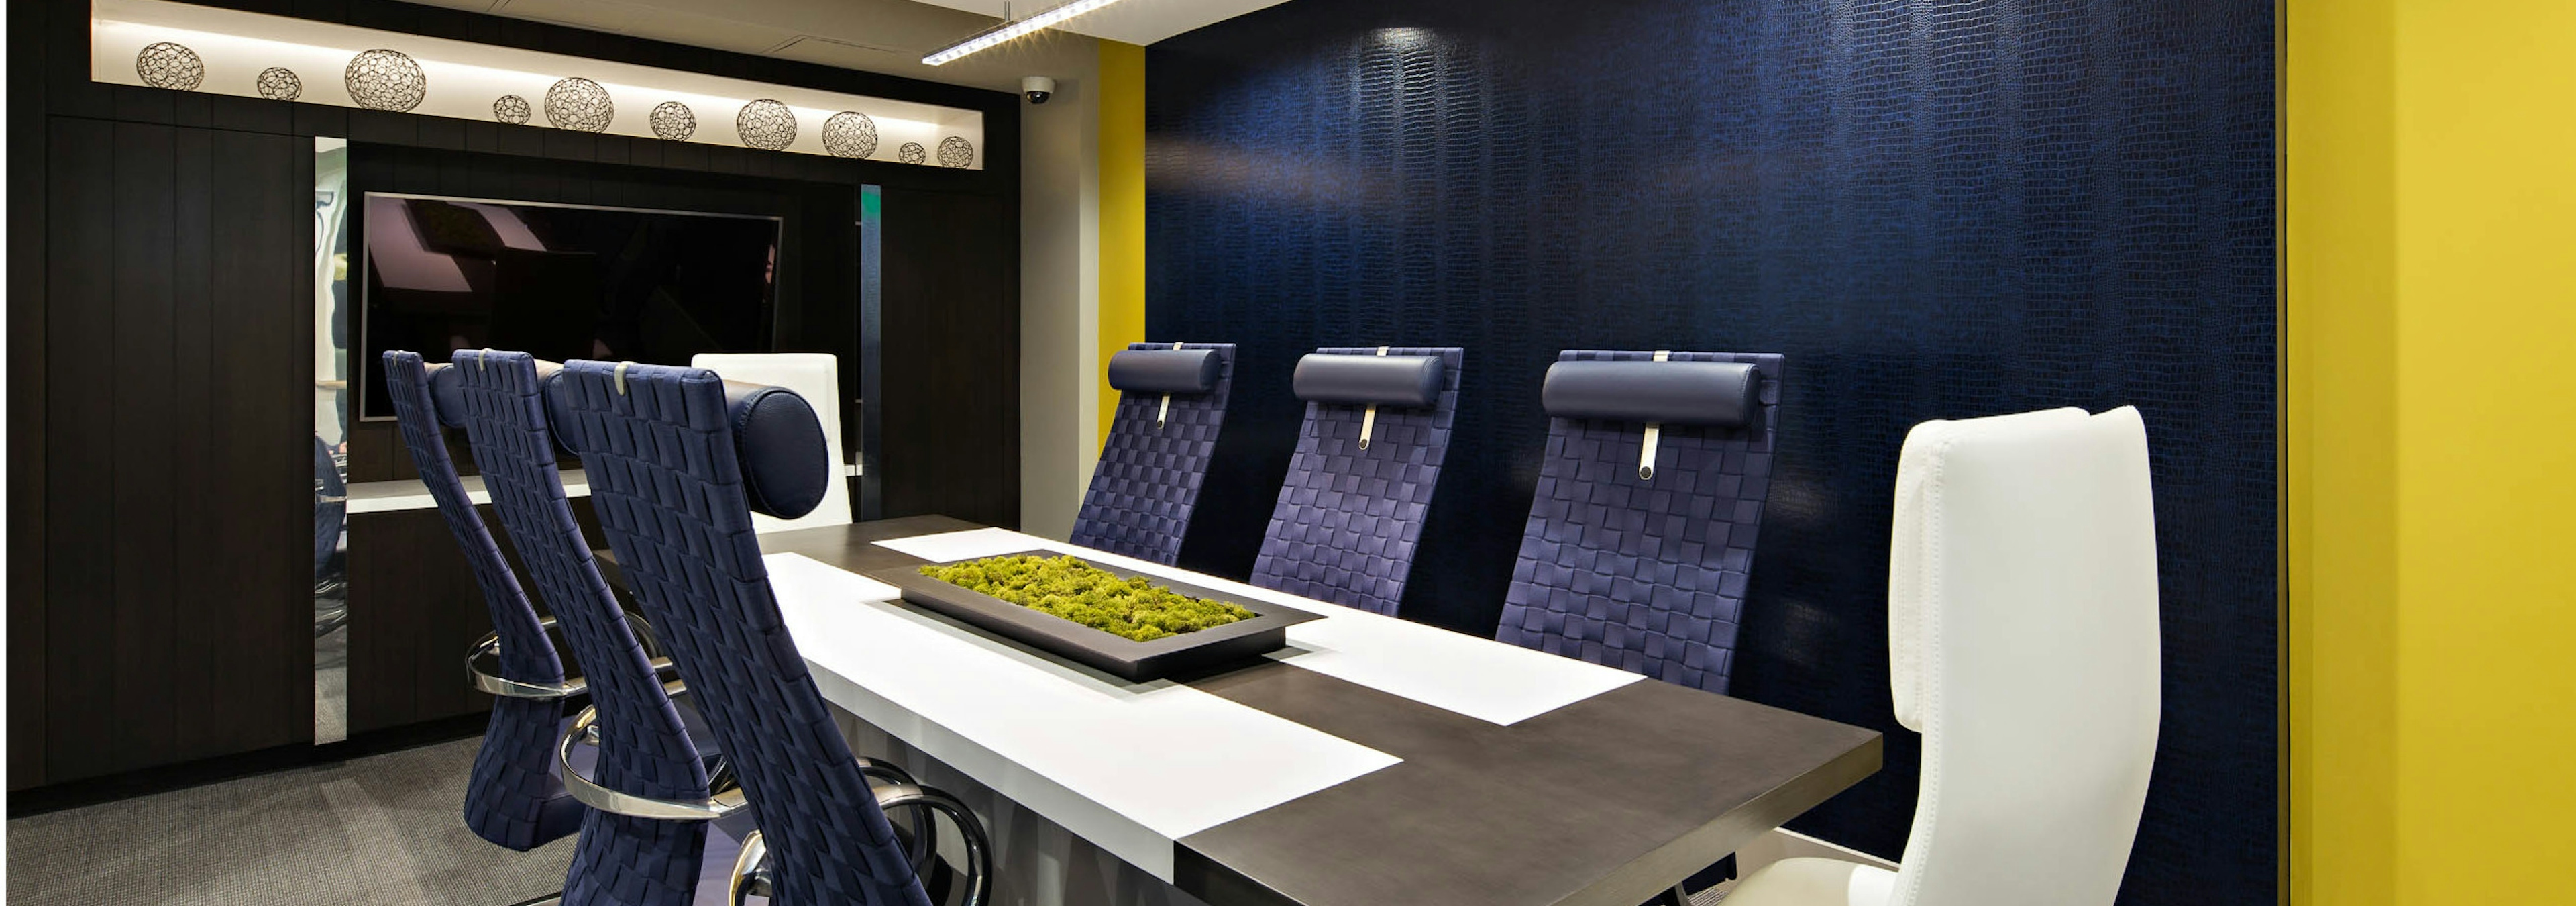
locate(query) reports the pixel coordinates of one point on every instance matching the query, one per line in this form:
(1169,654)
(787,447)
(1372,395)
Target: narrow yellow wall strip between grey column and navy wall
(1122,212)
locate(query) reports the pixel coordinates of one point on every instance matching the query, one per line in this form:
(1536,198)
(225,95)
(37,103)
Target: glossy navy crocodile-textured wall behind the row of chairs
(1933,210)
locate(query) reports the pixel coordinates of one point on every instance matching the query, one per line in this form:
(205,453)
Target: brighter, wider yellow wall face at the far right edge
(2487,449)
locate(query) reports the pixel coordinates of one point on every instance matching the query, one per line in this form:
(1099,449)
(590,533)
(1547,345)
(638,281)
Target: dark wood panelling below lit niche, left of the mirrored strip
(176,441)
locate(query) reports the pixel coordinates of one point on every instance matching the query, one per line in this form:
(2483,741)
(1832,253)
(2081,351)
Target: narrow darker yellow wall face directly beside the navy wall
(2340,447)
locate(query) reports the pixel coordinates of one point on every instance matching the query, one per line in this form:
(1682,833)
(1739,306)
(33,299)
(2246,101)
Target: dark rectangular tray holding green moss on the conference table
(1101,650)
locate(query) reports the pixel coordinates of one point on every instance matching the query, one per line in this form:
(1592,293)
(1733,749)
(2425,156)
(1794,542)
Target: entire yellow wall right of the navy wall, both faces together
(2430,449)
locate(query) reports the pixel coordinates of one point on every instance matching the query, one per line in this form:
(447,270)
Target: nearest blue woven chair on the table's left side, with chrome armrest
(676,470)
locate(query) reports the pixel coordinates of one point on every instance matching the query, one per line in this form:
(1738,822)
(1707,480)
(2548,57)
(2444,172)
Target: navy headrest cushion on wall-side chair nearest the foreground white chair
(1653,393)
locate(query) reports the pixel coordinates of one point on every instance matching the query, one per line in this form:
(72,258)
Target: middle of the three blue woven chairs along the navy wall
(1361,477)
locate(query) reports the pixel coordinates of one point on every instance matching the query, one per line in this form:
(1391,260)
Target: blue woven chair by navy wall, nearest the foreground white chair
(1650,495)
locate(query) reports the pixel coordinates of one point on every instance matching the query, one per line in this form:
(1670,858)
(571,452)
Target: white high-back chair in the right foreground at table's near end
(2023,647)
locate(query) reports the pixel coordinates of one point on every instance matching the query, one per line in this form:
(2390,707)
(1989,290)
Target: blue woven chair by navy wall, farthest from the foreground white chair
(1171,405)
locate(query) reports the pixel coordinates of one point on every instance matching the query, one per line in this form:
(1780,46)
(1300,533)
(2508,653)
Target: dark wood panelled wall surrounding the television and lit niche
(161,333)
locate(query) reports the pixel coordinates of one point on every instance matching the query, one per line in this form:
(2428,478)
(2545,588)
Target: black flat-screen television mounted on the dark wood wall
(560,282)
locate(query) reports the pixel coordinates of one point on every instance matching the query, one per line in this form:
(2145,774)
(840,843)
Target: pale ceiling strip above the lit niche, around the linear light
(877,35)
